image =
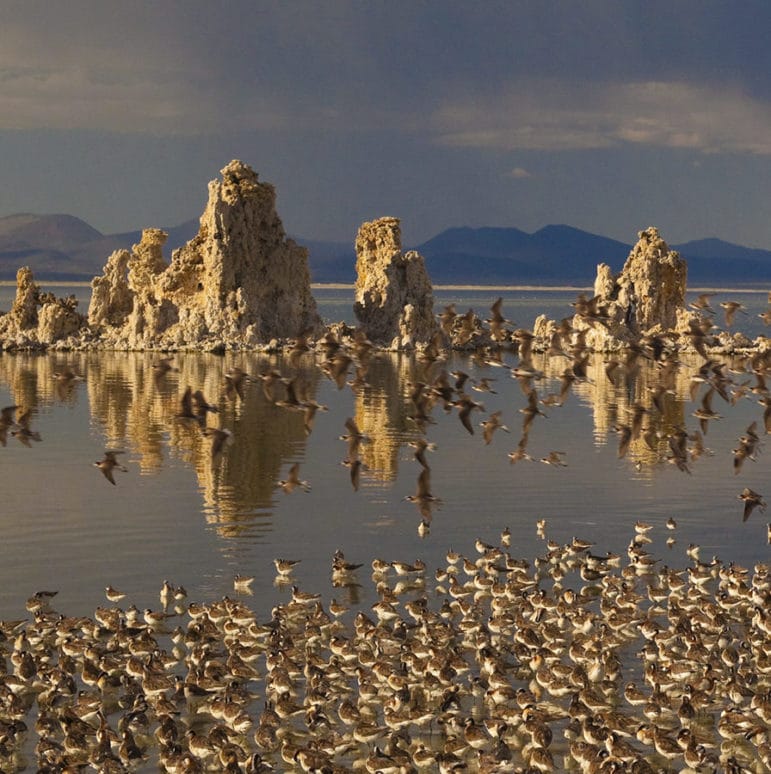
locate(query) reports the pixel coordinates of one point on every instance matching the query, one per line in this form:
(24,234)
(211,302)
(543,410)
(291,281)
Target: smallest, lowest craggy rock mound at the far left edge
(36,319)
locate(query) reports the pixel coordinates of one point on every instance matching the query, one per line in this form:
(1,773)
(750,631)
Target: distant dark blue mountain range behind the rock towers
(64,247)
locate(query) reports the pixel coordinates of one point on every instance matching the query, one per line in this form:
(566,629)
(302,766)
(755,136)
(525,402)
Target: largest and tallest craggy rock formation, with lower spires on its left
(238,283)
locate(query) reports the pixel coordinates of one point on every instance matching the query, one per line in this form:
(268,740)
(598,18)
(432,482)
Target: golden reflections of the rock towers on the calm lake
(645,409)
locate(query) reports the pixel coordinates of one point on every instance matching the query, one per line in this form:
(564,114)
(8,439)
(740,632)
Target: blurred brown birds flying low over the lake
(493,343)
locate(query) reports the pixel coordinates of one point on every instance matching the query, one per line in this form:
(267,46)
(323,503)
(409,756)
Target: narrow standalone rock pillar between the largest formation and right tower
(394,300)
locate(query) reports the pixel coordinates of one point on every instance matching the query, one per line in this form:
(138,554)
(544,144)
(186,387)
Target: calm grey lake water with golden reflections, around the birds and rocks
(174,515)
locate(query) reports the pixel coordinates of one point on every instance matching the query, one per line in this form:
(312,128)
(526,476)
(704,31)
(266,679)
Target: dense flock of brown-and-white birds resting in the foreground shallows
(569,661)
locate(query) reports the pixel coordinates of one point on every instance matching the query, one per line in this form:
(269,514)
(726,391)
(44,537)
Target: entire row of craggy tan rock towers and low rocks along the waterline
(241,284)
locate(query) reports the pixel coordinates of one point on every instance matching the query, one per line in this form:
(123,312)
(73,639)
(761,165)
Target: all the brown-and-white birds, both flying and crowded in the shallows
(570,660)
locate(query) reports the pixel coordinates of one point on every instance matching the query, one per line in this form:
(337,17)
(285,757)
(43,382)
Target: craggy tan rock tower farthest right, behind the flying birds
(646,297)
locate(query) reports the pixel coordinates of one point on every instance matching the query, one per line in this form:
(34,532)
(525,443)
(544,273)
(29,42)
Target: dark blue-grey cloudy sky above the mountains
(603,115)
